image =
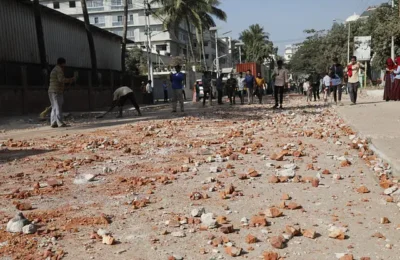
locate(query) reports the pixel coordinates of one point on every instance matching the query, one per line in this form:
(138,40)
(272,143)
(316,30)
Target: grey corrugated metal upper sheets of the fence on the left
(64,37)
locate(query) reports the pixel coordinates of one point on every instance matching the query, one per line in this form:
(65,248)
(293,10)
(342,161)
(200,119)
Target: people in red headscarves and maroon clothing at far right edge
(392,80)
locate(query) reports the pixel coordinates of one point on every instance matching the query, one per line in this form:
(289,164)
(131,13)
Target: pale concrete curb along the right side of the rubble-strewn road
(394,166)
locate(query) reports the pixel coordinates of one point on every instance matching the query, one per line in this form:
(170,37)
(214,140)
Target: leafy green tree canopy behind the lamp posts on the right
(320,47)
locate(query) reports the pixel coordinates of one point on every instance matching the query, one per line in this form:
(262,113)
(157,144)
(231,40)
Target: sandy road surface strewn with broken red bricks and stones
(150,173)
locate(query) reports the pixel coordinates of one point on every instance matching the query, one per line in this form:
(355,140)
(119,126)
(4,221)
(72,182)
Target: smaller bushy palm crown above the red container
(257,45)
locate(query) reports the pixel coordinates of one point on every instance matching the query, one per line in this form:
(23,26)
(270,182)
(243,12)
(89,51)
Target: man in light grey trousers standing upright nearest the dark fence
(56,93)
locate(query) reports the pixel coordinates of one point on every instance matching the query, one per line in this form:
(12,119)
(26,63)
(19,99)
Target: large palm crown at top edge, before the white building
(197,13)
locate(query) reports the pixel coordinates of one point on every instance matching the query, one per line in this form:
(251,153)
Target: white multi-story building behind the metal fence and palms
(108,15)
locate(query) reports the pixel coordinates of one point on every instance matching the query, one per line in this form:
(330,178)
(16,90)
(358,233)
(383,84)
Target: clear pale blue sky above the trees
(285,20)
